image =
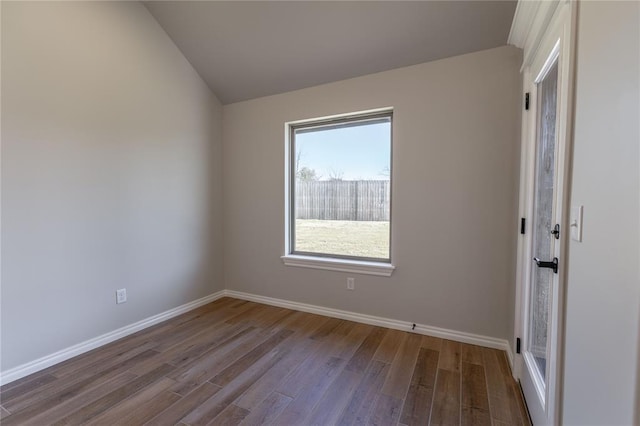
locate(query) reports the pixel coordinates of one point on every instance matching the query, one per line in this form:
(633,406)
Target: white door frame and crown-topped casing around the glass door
(538,26)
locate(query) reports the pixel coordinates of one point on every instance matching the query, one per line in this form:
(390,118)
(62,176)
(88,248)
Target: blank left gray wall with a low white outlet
(111,174)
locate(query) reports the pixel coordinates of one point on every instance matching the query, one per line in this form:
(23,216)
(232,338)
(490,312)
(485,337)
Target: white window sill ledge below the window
(341,265)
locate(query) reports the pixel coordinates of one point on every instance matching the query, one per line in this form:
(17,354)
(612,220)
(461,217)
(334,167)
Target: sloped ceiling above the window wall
(245,50)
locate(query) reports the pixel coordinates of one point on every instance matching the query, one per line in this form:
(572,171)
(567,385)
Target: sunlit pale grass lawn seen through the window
(343,237)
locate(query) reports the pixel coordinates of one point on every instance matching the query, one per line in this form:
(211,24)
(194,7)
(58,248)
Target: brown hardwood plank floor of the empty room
(236,362)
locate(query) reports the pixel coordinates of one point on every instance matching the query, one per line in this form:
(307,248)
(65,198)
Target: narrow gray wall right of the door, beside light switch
(603,295)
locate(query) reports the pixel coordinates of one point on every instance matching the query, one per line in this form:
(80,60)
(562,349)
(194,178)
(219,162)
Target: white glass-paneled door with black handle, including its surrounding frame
(542,248)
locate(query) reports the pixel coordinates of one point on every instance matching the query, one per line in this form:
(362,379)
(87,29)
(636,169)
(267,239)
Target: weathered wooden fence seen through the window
(343,200)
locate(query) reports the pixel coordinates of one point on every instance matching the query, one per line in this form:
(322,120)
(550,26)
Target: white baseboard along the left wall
(75,350)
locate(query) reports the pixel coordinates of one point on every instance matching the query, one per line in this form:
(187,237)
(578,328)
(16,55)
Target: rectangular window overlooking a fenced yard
(339,193)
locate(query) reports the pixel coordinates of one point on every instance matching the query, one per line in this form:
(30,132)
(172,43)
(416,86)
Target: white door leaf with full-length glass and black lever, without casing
(545,234)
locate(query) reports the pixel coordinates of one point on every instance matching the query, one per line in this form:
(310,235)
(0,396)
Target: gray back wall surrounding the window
(455,158)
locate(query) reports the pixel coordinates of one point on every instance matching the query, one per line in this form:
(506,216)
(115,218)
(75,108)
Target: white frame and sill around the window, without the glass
(381,267)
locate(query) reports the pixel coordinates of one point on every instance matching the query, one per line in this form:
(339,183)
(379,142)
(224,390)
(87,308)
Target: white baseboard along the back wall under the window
(443,333)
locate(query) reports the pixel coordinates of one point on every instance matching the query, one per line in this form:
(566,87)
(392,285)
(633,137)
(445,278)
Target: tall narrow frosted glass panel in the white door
(543,240)
